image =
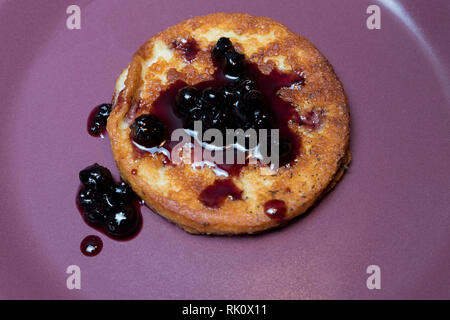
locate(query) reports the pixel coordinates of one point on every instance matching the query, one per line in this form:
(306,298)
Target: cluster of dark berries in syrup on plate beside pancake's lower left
(107,205)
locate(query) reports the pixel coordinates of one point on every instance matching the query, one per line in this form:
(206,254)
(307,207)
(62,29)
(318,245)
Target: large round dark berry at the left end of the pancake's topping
(148,131)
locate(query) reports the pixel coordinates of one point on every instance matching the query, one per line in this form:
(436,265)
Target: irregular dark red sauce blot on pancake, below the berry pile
(214,195)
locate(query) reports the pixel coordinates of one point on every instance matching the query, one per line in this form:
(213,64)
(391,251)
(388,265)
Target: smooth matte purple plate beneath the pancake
(390,210)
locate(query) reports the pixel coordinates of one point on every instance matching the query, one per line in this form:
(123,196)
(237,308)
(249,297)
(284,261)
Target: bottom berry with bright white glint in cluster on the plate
(122,222)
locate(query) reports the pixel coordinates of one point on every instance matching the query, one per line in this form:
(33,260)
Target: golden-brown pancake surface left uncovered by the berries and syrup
(173,191)
